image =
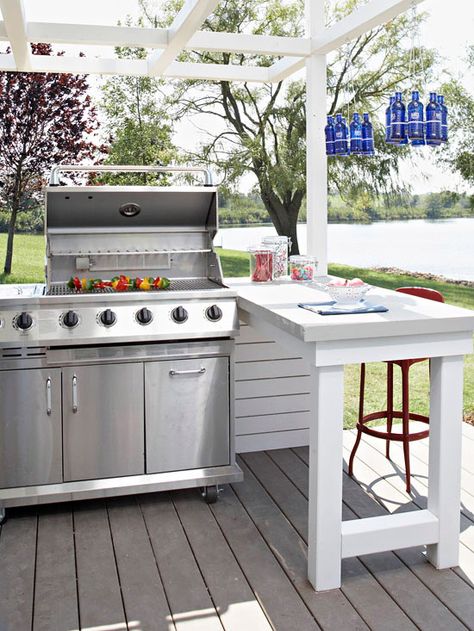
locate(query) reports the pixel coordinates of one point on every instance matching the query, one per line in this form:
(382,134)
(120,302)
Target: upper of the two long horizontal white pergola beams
(102,35)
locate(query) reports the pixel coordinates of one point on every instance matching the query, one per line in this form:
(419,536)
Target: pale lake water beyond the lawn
(442,246)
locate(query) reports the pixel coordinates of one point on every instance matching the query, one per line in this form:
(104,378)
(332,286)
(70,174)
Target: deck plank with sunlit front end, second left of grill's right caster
(191,606)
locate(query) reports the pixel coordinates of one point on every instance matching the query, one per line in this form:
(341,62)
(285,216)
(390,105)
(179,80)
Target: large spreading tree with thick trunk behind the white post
(261,129)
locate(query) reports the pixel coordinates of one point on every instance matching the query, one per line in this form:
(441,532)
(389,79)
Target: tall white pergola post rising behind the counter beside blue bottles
(316,161)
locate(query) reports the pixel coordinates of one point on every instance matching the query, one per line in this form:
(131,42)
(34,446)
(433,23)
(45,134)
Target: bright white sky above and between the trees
(449,29)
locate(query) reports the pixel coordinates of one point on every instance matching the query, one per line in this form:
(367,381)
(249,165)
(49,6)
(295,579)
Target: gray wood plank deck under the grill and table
(169,561)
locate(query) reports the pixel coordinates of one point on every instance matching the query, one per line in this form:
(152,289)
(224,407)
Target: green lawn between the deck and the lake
(28,266)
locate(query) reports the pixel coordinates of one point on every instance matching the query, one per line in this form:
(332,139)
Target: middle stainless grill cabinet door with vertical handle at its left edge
(103,422)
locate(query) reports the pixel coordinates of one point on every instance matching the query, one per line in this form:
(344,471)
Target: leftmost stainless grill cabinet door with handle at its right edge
(30,427)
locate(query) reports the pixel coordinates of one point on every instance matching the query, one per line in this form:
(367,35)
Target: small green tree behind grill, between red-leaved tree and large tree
(138,127)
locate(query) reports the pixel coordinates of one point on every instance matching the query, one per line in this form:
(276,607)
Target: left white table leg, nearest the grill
(325,478)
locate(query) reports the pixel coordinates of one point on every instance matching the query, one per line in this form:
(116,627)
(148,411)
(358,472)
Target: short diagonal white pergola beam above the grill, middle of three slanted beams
(186,23)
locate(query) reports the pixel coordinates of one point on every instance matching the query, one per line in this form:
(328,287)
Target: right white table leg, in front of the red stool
(444,490)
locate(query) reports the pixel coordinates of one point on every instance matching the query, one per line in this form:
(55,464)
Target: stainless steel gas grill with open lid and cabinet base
(85,375)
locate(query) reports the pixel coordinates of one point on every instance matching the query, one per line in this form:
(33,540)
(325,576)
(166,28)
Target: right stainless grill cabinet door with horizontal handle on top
(187,414)
